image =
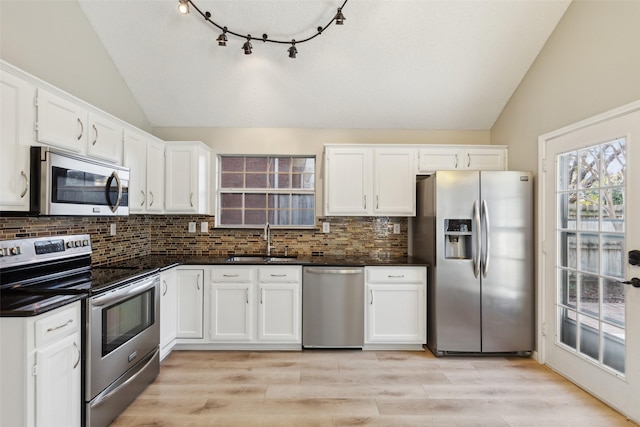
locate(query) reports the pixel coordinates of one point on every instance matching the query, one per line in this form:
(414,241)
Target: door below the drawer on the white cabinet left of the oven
(58,383)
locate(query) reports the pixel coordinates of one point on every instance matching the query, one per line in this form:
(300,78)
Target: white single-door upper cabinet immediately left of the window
(187,177)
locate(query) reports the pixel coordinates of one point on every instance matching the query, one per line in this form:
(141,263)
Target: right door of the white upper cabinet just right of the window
(394,182)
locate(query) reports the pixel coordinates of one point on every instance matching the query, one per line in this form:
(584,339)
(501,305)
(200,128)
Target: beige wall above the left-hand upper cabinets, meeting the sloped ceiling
(54,41)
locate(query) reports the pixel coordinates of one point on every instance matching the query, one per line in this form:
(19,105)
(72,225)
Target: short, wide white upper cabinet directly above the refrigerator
(452,157)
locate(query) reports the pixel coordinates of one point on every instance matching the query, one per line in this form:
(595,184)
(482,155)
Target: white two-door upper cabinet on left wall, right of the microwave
(144,156)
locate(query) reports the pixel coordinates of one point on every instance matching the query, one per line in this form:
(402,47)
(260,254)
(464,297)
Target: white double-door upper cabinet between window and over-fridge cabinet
(369,181)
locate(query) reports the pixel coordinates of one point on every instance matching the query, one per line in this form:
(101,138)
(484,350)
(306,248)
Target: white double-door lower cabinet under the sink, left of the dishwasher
(256,306)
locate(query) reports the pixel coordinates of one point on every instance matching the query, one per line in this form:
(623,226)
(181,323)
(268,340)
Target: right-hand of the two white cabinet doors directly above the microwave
(105,139)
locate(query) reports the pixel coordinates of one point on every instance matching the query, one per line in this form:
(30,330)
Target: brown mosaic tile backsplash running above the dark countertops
(138,235)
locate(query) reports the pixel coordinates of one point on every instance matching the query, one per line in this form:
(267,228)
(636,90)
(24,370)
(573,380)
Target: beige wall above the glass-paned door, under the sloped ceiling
(589,65)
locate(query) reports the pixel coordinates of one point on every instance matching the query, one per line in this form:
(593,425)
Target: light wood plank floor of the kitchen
(360,388)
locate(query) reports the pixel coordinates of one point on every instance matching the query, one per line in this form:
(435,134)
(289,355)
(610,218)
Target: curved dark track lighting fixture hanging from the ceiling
(222,39)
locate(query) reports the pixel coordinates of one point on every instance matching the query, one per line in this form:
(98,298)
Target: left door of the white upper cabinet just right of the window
(347,182)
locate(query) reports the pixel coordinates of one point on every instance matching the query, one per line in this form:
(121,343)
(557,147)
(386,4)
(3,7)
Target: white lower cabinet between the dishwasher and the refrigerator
(395,307)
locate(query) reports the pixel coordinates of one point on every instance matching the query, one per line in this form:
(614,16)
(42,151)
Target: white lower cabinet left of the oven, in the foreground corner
(41,369)
